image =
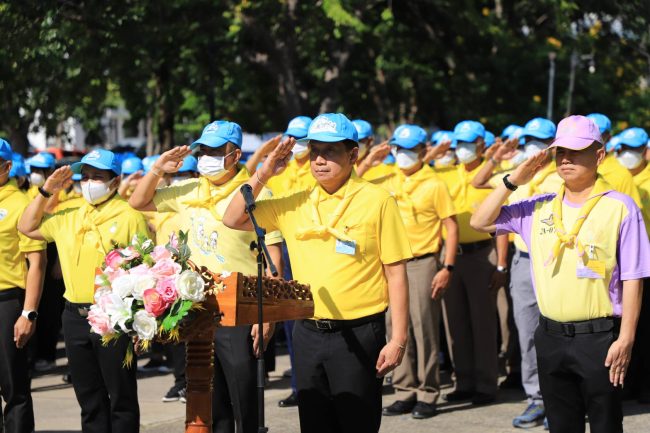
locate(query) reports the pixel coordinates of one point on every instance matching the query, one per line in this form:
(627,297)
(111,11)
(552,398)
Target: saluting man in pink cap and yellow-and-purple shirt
(589,251)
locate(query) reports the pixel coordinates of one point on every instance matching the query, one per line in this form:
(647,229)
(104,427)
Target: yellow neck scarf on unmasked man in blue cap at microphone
(318,229)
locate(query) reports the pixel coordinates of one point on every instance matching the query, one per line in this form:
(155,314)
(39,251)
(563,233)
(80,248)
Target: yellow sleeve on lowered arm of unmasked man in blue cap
(393,241)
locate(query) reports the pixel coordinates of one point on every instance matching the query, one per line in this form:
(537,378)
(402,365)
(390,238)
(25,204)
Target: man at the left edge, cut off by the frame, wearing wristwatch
(20,292)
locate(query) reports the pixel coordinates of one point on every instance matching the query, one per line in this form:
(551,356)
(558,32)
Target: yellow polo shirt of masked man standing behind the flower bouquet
(84,235)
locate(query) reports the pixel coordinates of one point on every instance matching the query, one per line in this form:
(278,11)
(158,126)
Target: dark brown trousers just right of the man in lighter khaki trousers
(472,314)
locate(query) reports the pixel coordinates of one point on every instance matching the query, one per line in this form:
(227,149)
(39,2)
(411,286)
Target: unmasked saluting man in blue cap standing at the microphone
(347,241)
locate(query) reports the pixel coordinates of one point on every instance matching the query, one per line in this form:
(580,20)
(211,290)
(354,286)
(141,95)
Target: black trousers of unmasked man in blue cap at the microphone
(338,390)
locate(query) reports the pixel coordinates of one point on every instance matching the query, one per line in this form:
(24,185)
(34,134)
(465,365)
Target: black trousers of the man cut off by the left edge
(18,414)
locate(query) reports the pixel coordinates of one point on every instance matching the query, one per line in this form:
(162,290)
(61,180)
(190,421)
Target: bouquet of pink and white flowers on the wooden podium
(145,290)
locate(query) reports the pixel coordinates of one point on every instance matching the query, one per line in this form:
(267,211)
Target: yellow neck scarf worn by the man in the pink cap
(570,239)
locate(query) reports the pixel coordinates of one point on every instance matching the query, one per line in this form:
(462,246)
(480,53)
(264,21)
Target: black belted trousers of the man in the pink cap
(575,382)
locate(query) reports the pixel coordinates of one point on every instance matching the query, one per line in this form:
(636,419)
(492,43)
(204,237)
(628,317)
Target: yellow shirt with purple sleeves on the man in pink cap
(616,246)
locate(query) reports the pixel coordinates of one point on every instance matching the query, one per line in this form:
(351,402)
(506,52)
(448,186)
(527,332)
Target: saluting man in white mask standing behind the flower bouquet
(105,390)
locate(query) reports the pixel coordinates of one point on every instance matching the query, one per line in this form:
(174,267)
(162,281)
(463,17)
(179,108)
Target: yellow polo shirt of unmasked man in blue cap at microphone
(347,279)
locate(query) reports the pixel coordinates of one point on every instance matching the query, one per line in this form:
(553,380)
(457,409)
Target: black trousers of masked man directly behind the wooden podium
(234,402)
